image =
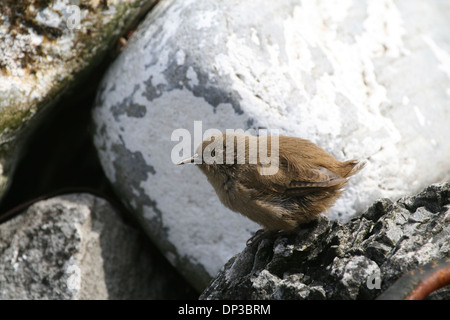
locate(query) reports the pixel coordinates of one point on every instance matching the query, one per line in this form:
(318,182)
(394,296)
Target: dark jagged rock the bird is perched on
(330,260)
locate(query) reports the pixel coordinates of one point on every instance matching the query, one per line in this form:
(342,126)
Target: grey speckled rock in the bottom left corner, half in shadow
(77,247)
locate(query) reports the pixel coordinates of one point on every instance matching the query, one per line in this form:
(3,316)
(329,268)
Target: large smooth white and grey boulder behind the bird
(363,79)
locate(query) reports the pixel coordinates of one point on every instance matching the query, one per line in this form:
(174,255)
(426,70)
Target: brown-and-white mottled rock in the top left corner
(46,47)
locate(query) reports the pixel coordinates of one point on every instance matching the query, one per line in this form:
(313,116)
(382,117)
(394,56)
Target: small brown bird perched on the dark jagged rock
(305,180)
